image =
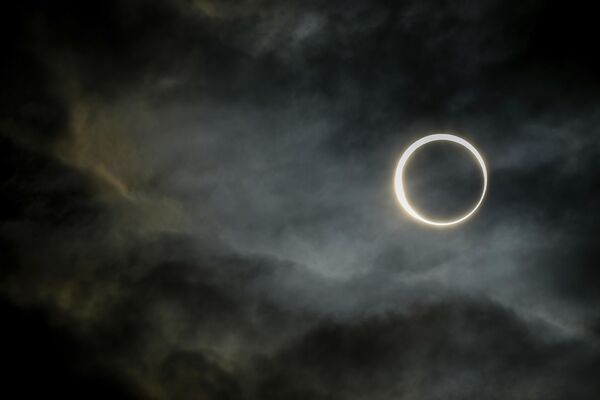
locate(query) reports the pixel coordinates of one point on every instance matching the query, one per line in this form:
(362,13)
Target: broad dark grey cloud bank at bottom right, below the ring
(457,350)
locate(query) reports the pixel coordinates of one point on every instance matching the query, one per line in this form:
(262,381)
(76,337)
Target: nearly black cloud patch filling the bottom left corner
(40,357)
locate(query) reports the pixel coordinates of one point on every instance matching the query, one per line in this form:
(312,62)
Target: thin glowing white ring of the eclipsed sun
(399,178)
